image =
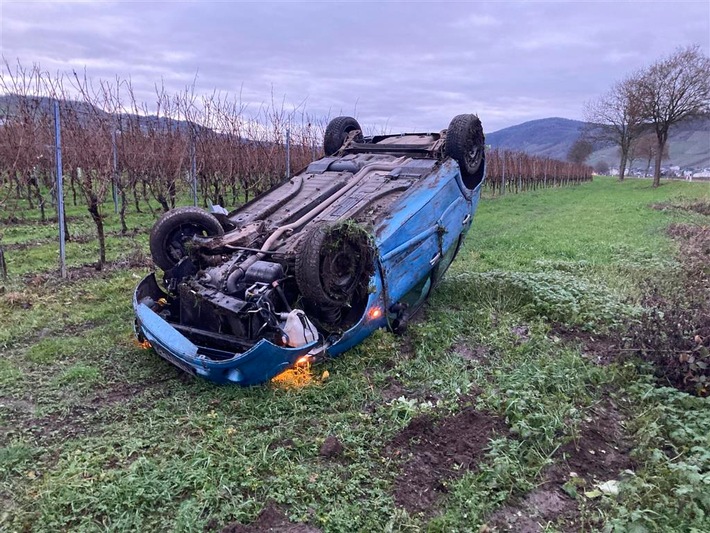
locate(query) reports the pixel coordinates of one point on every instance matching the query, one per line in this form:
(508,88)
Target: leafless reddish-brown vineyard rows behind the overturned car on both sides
(210,147)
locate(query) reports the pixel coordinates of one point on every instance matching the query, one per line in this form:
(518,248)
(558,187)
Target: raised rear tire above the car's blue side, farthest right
(465,143)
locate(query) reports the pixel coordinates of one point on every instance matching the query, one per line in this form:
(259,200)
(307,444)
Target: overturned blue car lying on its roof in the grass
(355,242)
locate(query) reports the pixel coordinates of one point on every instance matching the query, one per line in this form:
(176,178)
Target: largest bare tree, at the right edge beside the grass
(671,90)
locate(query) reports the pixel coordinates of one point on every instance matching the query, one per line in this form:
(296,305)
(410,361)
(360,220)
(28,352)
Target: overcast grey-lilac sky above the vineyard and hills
(395,65)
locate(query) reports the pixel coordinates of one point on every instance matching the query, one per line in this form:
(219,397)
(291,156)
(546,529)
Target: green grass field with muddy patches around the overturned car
(500,406)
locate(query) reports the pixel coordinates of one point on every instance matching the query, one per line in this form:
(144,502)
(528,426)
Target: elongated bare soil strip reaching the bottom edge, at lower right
(598,455)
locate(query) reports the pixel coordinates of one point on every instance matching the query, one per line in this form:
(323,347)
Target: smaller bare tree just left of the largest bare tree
(617,118)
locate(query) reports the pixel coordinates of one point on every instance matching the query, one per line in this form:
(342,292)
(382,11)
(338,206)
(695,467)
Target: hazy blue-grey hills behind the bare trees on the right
(689,142)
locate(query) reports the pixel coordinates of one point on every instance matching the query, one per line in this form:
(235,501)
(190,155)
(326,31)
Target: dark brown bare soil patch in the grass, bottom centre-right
(437,451)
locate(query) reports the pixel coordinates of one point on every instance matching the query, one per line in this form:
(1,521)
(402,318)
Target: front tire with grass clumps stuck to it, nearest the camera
(334,264)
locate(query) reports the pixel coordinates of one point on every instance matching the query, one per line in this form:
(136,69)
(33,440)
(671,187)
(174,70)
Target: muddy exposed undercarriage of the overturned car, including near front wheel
(309,246)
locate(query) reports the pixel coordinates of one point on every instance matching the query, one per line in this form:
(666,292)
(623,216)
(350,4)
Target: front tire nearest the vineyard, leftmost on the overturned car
(175,228)
